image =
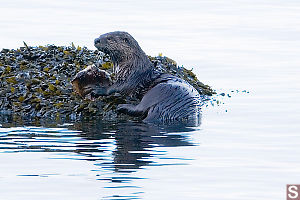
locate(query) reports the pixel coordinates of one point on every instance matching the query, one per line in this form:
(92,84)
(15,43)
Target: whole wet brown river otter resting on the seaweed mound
(164,97)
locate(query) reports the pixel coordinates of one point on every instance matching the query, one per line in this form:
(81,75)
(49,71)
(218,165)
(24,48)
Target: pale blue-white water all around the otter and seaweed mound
(246,148)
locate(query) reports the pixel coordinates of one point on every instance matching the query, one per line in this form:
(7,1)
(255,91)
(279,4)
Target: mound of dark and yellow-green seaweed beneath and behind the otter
(35,83)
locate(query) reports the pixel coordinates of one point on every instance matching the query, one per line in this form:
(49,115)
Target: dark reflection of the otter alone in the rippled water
(134,142)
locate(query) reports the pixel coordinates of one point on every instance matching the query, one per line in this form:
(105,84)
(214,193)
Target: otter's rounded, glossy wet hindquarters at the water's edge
(173,99)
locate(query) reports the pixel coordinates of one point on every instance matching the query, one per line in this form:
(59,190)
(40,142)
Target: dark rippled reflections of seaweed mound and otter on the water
(116,150)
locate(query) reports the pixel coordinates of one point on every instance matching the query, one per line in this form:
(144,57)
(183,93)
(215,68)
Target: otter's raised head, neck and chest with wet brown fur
(135,73)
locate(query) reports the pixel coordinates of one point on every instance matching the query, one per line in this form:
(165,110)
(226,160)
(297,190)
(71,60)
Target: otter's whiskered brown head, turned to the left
(120,46)
